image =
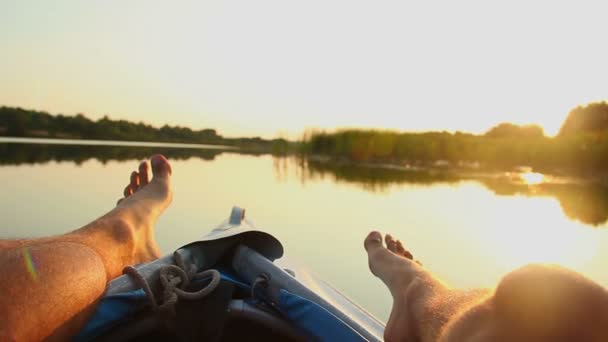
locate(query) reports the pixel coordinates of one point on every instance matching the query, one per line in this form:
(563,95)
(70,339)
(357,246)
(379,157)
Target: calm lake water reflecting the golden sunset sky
(469,229)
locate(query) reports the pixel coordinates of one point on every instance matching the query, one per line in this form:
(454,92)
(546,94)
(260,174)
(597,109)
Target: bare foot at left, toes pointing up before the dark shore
(145,198)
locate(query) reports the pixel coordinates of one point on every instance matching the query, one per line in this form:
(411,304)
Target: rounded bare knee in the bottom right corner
(543,301)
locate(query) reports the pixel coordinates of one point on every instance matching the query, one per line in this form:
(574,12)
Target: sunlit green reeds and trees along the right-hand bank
(581,146)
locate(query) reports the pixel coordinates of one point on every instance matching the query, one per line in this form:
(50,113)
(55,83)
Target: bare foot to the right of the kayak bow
(413,288)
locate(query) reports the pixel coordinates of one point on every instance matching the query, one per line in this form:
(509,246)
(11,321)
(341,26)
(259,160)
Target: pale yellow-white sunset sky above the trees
(258,67)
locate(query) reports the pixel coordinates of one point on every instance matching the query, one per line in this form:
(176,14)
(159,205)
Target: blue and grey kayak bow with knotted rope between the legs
(233,284)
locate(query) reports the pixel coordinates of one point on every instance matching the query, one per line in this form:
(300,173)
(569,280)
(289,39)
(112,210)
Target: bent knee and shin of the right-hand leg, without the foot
(537,303)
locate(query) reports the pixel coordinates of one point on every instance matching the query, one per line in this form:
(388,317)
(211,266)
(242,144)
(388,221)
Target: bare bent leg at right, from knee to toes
(533,303)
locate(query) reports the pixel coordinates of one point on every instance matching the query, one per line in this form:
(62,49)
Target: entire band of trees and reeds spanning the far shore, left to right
(580,148)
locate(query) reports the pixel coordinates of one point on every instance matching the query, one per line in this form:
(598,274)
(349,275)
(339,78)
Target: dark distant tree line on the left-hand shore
(19,122)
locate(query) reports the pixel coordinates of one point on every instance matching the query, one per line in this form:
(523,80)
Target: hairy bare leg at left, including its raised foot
(51,285)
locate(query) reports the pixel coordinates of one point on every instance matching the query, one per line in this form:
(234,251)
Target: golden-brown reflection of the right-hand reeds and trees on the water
(581,201)
